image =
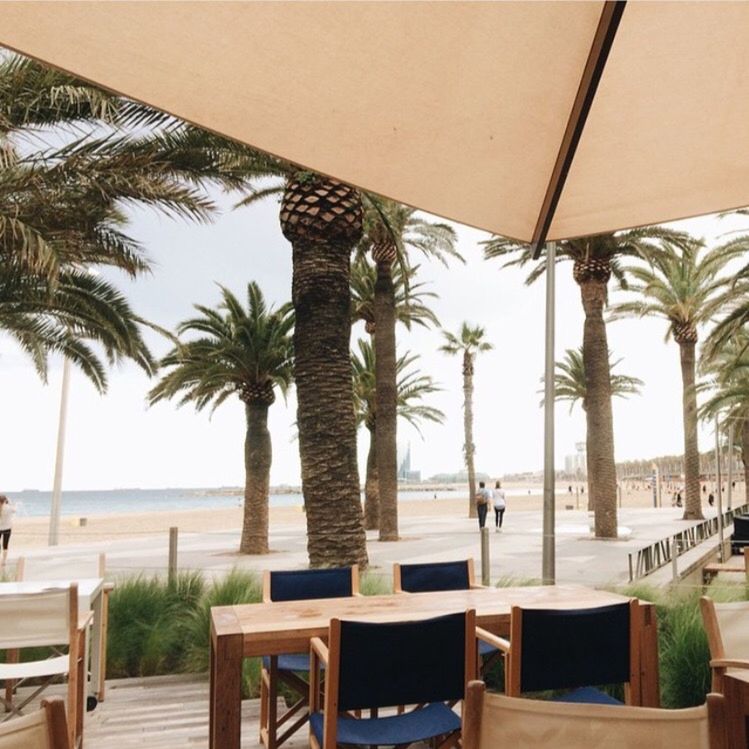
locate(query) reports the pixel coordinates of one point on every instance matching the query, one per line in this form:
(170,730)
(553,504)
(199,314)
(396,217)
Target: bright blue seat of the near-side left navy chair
(426,723)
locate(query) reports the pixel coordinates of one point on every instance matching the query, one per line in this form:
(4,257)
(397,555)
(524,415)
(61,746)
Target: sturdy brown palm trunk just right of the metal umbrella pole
(598,414)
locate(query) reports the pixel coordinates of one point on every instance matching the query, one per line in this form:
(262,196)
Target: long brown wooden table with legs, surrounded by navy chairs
(259,629)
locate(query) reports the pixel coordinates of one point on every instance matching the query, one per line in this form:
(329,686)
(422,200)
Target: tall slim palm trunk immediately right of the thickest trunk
(386,402)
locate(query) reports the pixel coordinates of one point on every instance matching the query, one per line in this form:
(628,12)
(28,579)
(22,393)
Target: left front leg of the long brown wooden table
(225,692)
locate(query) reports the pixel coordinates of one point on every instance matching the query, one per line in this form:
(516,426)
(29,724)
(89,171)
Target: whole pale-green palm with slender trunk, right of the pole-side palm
(682,286)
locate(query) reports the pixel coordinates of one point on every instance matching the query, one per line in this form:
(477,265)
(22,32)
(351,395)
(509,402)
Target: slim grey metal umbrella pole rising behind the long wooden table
(548,559)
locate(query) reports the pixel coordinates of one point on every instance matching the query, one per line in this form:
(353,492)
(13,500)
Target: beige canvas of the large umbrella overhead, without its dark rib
(458,108)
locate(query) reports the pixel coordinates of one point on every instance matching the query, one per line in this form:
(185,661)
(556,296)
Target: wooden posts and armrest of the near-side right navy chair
(512,651)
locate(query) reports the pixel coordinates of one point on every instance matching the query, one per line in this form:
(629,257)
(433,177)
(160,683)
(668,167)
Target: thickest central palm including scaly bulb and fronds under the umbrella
(323,220)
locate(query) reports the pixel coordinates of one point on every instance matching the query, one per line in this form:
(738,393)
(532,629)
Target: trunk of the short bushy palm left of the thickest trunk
(258,455)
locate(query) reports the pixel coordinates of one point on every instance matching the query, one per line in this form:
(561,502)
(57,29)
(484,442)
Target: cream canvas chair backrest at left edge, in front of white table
(48,617)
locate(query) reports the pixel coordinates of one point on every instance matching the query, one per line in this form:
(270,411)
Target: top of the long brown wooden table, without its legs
(283,627)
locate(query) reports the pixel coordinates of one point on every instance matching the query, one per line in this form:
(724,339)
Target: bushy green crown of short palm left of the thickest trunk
(243,351)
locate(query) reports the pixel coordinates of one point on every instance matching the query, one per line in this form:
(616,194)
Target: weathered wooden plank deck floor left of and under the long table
(169,712)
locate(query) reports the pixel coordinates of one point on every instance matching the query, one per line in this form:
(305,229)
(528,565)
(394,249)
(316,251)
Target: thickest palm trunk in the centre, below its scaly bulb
(325,411)
